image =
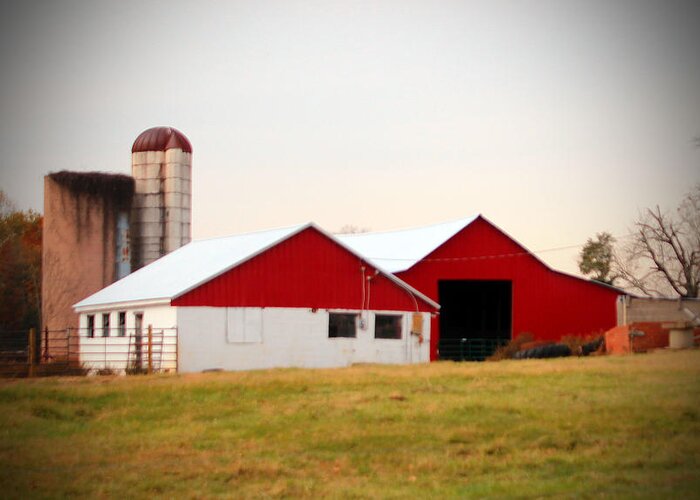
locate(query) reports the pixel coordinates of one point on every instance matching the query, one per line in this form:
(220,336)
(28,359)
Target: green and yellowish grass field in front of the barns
(585,427)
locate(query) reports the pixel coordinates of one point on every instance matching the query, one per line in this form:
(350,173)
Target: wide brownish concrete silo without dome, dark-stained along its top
(85,243)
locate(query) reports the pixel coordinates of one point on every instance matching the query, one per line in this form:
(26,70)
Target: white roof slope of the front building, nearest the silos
(187,267)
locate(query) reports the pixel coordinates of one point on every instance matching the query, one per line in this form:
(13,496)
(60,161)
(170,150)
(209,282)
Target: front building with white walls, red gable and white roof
(292,297)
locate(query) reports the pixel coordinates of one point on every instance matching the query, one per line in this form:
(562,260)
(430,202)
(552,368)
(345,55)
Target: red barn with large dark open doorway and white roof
(490,288)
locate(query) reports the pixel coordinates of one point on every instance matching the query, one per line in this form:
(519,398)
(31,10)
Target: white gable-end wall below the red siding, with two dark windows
(290,337)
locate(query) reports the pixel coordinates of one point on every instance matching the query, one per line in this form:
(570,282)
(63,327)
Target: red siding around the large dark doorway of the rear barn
(546,303)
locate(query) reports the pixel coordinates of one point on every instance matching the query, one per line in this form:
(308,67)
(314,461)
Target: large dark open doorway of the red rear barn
(475,318)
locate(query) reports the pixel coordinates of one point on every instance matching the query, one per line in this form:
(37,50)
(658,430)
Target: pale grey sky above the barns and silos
(553,119)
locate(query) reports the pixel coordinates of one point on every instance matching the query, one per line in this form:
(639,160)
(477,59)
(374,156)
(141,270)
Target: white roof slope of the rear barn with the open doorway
(396,251)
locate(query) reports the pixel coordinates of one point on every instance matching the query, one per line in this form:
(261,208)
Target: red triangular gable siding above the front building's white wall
(307,270)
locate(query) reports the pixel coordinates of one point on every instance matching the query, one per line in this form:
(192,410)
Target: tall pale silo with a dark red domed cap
(161,164)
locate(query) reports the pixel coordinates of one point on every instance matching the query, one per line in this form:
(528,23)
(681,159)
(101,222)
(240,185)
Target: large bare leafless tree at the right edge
(664,253)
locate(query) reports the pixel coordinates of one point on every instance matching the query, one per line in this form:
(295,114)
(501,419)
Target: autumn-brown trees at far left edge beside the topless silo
(20,267)
